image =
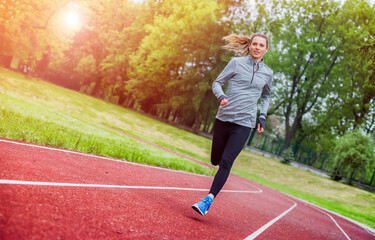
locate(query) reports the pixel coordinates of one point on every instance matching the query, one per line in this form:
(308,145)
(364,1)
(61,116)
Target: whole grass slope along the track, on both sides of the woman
(36,111)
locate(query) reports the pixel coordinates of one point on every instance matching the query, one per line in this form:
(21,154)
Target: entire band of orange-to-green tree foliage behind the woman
(161,57)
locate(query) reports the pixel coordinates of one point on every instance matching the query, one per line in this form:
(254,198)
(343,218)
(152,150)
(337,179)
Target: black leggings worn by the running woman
(228,141)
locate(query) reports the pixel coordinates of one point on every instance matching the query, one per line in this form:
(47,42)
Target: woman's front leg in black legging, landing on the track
(237,137)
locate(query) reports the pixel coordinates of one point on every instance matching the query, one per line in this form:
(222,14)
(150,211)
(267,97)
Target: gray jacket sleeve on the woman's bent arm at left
(223,78)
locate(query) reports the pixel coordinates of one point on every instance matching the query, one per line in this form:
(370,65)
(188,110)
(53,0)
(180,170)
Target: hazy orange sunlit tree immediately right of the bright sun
(98,47)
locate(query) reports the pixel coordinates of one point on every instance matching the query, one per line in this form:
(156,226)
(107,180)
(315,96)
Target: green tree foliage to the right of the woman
(322,55)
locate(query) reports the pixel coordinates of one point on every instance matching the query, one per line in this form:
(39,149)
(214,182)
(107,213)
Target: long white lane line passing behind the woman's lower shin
(35,183)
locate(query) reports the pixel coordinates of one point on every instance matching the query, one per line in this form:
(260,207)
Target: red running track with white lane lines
(49,193)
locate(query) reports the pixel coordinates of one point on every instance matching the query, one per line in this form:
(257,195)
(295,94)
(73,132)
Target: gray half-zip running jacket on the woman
(245,85)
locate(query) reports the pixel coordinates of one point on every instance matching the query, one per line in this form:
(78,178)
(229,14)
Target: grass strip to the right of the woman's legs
(346,200)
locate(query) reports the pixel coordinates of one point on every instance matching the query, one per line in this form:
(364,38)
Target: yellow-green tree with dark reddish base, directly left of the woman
(172,69)
